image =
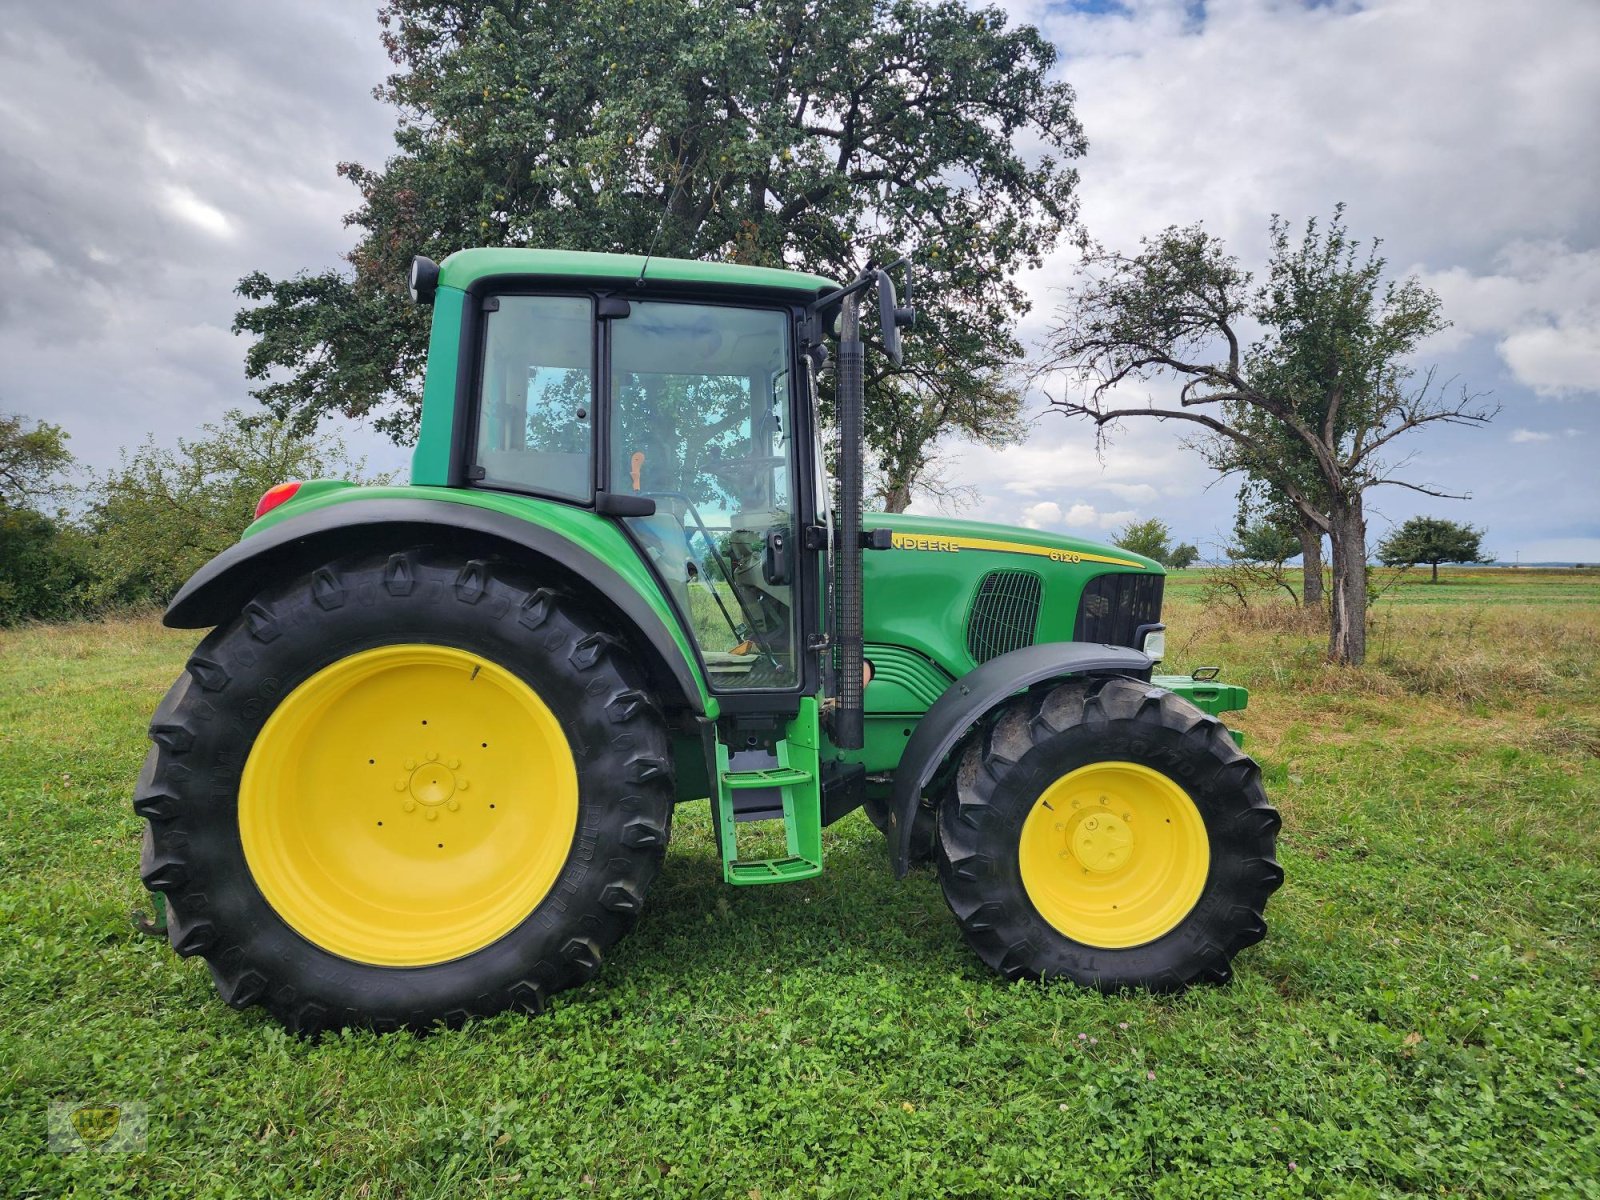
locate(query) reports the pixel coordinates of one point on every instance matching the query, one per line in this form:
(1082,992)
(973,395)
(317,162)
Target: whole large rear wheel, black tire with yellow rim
(404,790)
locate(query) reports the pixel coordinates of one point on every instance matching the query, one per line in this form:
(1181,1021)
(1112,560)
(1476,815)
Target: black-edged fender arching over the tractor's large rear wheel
(302,543)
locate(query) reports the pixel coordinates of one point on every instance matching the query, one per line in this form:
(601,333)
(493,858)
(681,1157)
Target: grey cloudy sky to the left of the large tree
(151,188)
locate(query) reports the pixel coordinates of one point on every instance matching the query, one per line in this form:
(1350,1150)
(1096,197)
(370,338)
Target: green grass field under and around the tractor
(1423,1018)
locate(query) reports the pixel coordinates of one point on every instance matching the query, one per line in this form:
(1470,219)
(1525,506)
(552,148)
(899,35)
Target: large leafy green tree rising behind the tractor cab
(767,132)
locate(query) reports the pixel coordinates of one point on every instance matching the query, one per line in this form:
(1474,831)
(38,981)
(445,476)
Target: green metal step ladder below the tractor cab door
(790,791)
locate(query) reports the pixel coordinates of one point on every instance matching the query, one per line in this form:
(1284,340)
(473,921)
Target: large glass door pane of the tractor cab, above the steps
(700,423)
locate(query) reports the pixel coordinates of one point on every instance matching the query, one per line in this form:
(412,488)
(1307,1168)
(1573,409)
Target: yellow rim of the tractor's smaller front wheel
(1114,855)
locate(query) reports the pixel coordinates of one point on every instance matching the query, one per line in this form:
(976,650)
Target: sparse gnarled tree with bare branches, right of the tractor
(1313,406)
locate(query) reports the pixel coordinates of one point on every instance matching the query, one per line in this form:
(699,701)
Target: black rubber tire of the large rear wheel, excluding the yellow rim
(207,726)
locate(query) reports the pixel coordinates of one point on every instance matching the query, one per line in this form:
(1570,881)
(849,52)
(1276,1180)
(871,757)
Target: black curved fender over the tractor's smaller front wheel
(975,694)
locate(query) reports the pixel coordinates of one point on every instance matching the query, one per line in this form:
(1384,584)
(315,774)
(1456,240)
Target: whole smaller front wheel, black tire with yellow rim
(1113,834)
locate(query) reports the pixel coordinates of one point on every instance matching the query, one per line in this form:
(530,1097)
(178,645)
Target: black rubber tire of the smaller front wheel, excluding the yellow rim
(1036,740)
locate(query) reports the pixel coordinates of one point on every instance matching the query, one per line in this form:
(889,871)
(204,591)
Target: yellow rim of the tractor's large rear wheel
(409,806)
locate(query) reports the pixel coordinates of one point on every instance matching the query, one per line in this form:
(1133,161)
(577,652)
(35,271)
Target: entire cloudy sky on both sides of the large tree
(153,153)
